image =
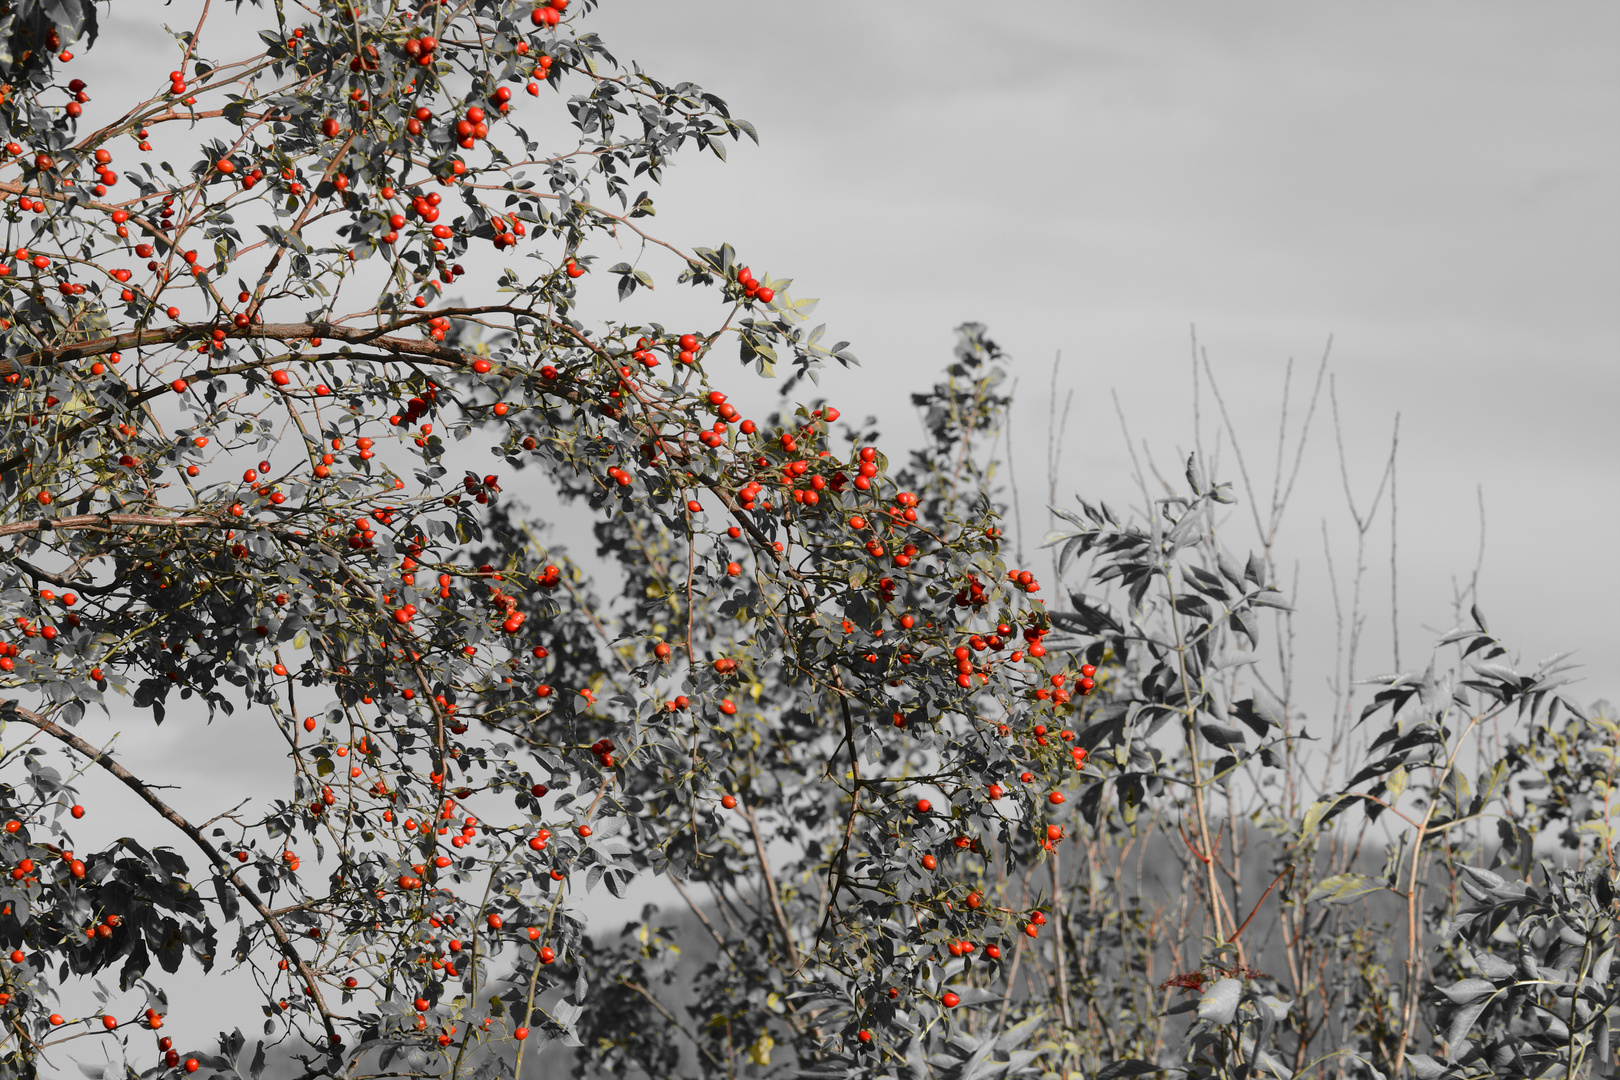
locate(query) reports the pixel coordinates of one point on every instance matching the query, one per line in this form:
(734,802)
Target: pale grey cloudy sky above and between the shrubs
(1433,184)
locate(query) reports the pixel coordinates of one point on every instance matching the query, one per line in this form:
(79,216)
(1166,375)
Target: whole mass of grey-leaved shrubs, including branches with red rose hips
(900,780)
